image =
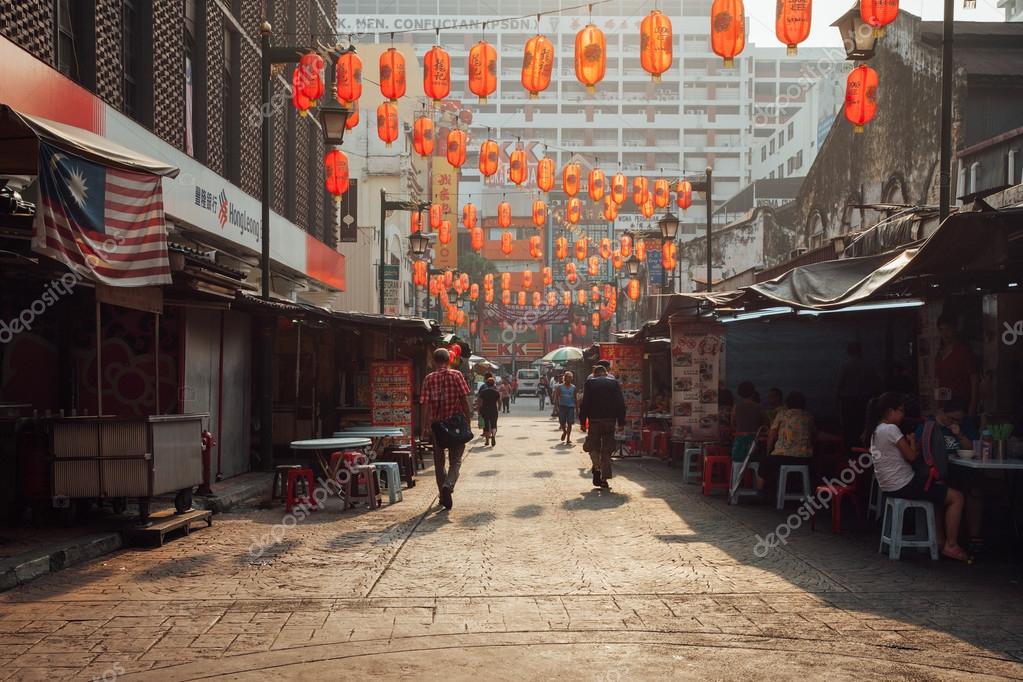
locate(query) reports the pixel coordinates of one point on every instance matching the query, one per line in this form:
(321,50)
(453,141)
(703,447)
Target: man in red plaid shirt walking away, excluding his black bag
(444,395)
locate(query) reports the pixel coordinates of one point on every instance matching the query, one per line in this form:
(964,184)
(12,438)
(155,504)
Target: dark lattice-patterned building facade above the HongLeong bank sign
(134,55)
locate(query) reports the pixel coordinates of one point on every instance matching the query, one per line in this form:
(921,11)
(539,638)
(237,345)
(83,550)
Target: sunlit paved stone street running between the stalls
(533,575)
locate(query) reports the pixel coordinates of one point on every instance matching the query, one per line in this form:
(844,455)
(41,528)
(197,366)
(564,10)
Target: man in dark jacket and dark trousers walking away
(604,405)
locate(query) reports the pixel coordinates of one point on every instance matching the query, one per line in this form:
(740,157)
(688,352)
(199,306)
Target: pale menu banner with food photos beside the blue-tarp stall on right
(697,362)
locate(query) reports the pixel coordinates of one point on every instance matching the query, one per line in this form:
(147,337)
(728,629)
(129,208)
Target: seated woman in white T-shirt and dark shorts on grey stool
(894,453)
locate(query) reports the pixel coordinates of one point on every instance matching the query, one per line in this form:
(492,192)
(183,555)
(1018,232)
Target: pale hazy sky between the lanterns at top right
(762,15)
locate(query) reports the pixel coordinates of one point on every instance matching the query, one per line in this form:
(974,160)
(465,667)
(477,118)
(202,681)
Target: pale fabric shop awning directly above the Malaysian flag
(21,134)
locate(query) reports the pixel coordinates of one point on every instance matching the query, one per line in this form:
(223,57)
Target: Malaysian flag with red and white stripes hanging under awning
(104,223)
